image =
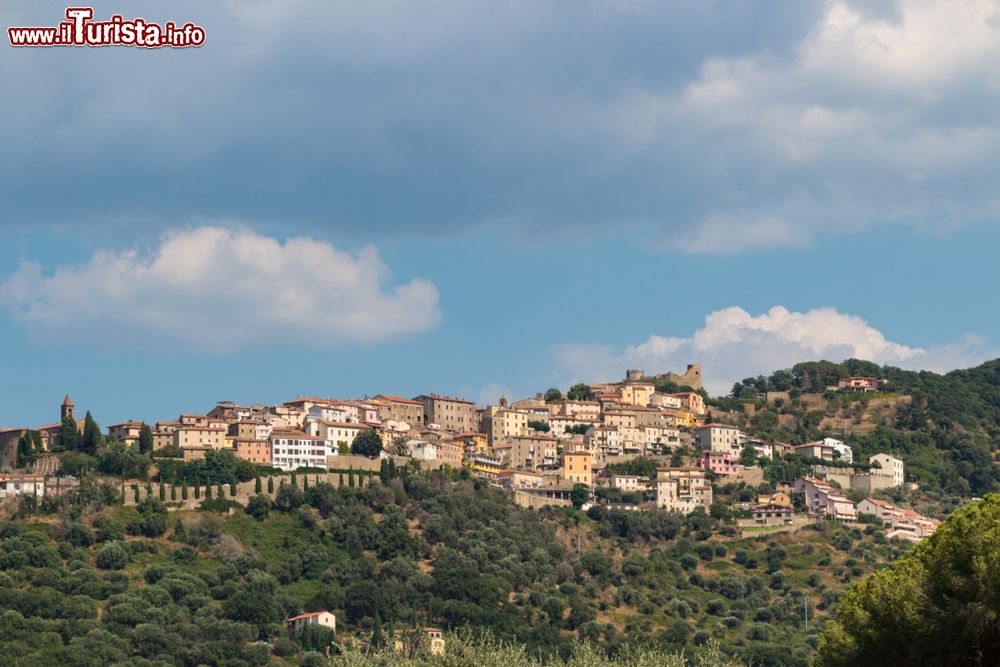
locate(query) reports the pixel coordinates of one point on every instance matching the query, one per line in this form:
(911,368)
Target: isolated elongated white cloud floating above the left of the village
(219,290)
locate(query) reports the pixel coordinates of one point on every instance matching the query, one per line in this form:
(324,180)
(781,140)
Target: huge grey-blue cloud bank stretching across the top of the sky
(721,129)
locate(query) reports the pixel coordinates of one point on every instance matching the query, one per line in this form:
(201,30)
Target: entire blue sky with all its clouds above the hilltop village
(486,199)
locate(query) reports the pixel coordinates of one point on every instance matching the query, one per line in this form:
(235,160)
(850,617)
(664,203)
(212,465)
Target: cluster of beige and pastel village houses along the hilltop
(537,449)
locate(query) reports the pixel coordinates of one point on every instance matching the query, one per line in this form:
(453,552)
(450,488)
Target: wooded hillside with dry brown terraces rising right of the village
(945,427)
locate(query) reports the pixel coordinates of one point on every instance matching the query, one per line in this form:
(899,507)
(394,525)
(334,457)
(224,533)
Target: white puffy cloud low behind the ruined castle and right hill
(733,344)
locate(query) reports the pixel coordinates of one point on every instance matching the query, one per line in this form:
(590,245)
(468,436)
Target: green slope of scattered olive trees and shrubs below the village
(187,587)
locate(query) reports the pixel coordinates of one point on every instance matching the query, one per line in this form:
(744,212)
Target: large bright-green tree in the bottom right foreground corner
(937,605)
